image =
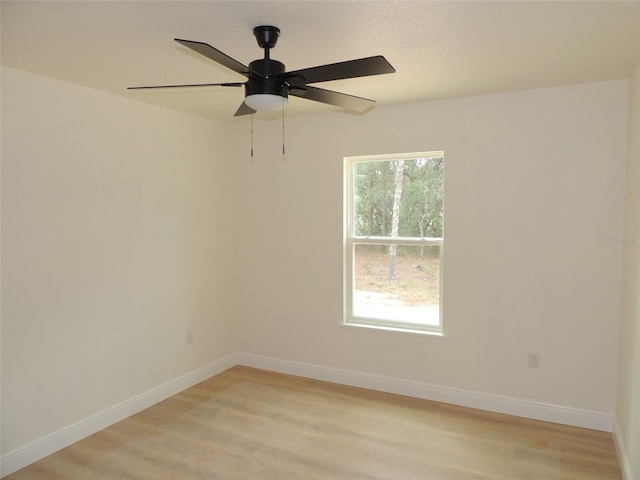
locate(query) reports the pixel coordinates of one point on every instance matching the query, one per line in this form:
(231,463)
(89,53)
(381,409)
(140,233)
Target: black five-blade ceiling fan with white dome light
(268,84)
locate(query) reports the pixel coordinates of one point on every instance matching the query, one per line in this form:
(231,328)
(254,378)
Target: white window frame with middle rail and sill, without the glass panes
(350,241)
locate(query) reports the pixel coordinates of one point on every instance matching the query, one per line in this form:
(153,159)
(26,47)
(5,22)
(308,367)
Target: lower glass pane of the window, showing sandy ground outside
(403,286)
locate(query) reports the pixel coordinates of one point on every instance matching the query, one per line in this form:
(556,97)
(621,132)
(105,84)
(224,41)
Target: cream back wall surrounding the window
(534,185)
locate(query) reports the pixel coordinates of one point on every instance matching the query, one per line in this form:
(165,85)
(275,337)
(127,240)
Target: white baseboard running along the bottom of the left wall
(34,451)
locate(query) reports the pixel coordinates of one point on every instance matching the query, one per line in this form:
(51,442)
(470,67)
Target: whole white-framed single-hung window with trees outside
(394,220)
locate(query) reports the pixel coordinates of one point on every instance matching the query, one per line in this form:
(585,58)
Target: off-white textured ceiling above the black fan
(440,49)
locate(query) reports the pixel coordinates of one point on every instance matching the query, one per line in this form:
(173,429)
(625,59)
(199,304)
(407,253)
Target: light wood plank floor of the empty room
(251,424)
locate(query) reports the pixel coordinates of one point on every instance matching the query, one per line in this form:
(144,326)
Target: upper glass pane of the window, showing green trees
(398,197)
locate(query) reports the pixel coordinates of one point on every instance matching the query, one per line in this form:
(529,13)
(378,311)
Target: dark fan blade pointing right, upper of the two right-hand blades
(362,67)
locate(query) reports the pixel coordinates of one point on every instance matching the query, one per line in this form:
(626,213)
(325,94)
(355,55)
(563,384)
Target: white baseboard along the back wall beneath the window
(493,403)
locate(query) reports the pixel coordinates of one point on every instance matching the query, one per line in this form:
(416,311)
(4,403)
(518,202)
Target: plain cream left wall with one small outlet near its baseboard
(116,241)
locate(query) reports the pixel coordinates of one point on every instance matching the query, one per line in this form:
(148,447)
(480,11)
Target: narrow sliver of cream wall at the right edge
(628,406)
